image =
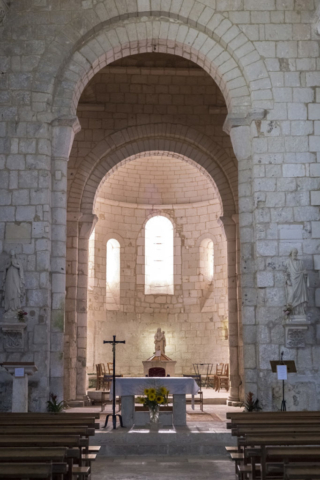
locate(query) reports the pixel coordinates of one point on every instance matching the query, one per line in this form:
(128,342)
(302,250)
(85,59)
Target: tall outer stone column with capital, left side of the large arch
(63,131)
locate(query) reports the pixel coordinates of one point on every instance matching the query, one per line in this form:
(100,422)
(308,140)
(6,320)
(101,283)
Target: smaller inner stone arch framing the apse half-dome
(187,143)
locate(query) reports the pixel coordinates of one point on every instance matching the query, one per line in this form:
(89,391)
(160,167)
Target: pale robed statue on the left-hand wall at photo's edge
(13,284)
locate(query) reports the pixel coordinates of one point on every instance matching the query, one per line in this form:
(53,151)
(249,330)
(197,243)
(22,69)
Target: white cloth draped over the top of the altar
(136,385)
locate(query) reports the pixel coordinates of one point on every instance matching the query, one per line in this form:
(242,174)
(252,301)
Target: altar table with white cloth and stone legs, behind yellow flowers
(127,388)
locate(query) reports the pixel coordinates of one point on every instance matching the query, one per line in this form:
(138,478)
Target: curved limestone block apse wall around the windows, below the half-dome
(195,320)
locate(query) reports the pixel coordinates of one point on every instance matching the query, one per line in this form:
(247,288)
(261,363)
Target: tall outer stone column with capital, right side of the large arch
(238,126)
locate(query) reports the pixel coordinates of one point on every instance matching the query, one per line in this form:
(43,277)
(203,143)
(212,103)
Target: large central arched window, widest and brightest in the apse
(159,256)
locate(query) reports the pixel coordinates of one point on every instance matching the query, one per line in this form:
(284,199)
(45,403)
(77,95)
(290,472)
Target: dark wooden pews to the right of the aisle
(284,445)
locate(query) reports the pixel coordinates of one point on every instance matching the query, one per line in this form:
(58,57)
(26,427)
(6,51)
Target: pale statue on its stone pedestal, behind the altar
(159,364)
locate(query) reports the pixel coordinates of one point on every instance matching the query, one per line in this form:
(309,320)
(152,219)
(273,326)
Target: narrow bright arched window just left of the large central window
(113,275)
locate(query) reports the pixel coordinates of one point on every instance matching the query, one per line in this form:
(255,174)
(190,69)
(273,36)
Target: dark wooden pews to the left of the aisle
(47,445)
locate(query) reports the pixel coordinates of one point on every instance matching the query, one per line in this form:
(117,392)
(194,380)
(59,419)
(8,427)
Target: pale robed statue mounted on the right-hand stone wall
(297,283)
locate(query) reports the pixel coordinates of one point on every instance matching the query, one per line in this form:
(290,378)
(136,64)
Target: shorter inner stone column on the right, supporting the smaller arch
(233,307)
